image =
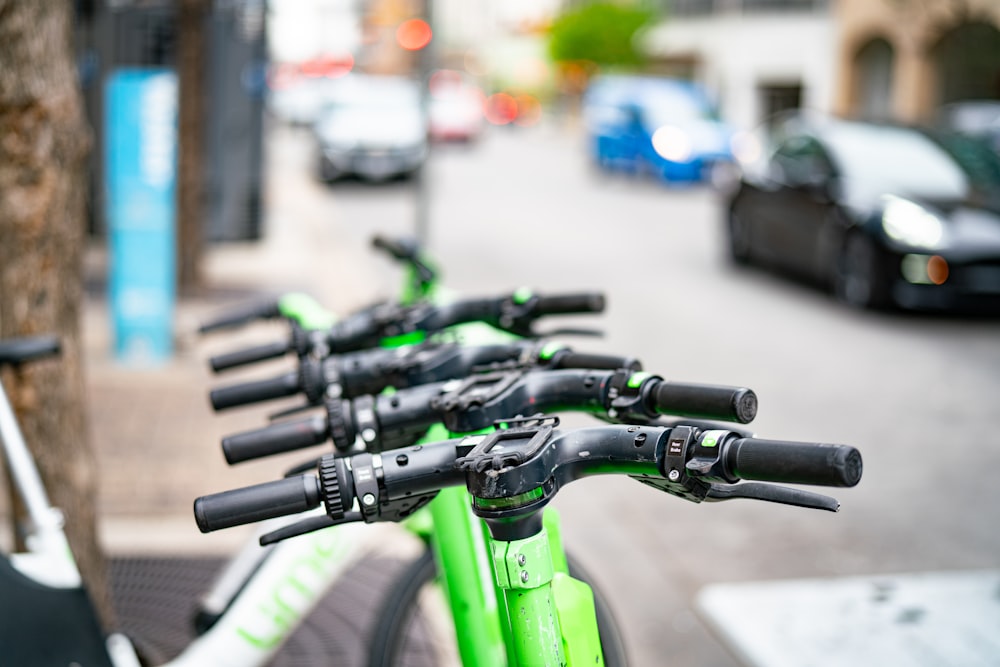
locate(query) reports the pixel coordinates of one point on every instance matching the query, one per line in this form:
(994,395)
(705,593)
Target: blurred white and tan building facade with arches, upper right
(898,59)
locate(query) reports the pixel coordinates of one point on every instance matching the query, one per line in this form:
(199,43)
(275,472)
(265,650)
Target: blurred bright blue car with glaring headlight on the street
(663,126)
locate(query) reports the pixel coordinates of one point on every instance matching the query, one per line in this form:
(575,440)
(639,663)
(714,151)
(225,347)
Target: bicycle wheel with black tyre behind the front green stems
(413,629)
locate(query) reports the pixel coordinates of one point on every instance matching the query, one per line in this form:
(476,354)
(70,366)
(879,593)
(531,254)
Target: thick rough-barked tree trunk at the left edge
(44,140)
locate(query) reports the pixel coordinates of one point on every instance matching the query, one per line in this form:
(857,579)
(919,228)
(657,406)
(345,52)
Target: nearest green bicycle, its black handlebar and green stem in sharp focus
(547,617)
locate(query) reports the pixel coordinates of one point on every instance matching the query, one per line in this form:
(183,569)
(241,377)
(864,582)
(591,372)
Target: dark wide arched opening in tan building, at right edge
(967,59)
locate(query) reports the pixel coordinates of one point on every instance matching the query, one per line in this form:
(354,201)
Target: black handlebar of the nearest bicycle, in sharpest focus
(514,472)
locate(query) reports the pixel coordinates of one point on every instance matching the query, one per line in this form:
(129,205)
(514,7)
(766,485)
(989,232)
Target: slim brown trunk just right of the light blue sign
(192,58)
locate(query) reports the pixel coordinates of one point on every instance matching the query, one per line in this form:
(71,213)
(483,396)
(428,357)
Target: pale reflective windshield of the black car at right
(875,160)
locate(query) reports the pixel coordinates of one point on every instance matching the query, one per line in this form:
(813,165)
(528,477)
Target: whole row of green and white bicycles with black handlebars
(438,414)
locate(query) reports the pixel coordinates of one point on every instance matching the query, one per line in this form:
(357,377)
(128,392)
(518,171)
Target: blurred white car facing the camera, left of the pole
(373,127)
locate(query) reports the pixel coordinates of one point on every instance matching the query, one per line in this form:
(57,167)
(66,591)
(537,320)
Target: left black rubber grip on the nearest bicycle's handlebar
(250,504)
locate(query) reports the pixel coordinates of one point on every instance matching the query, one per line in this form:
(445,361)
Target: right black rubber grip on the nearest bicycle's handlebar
(794,462)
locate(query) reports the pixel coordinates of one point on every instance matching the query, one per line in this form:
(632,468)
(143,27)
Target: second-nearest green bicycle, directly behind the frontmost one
(458,548)
